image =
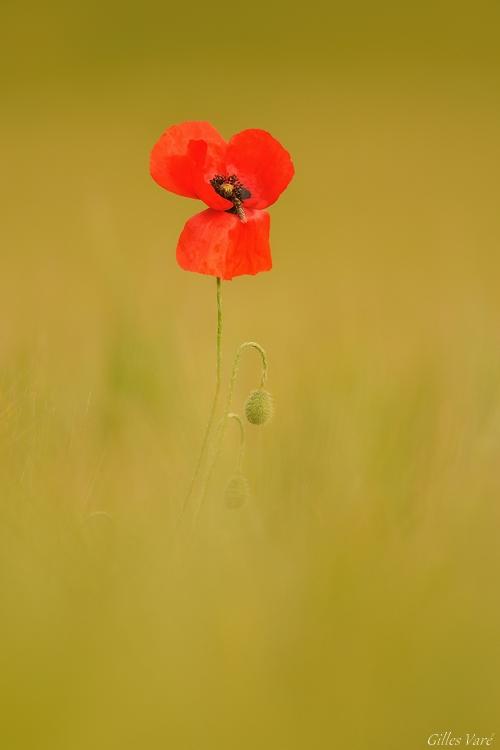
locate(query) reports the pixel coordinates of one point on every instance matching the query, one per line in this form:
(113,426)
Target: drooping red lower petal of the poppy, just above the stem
(218,243)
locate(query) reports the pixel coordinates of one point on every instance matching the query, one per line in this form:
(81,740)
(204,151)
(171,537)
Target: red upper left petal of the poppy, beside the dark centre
(184,159)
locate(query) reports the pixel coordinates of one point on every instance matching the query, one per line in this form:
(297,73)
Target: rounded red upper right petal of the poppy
(262,165)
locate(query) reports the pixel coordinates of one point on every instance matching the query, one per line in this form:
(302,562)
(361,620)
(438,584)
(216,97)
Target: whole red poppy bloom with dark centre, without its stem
(236,180)
